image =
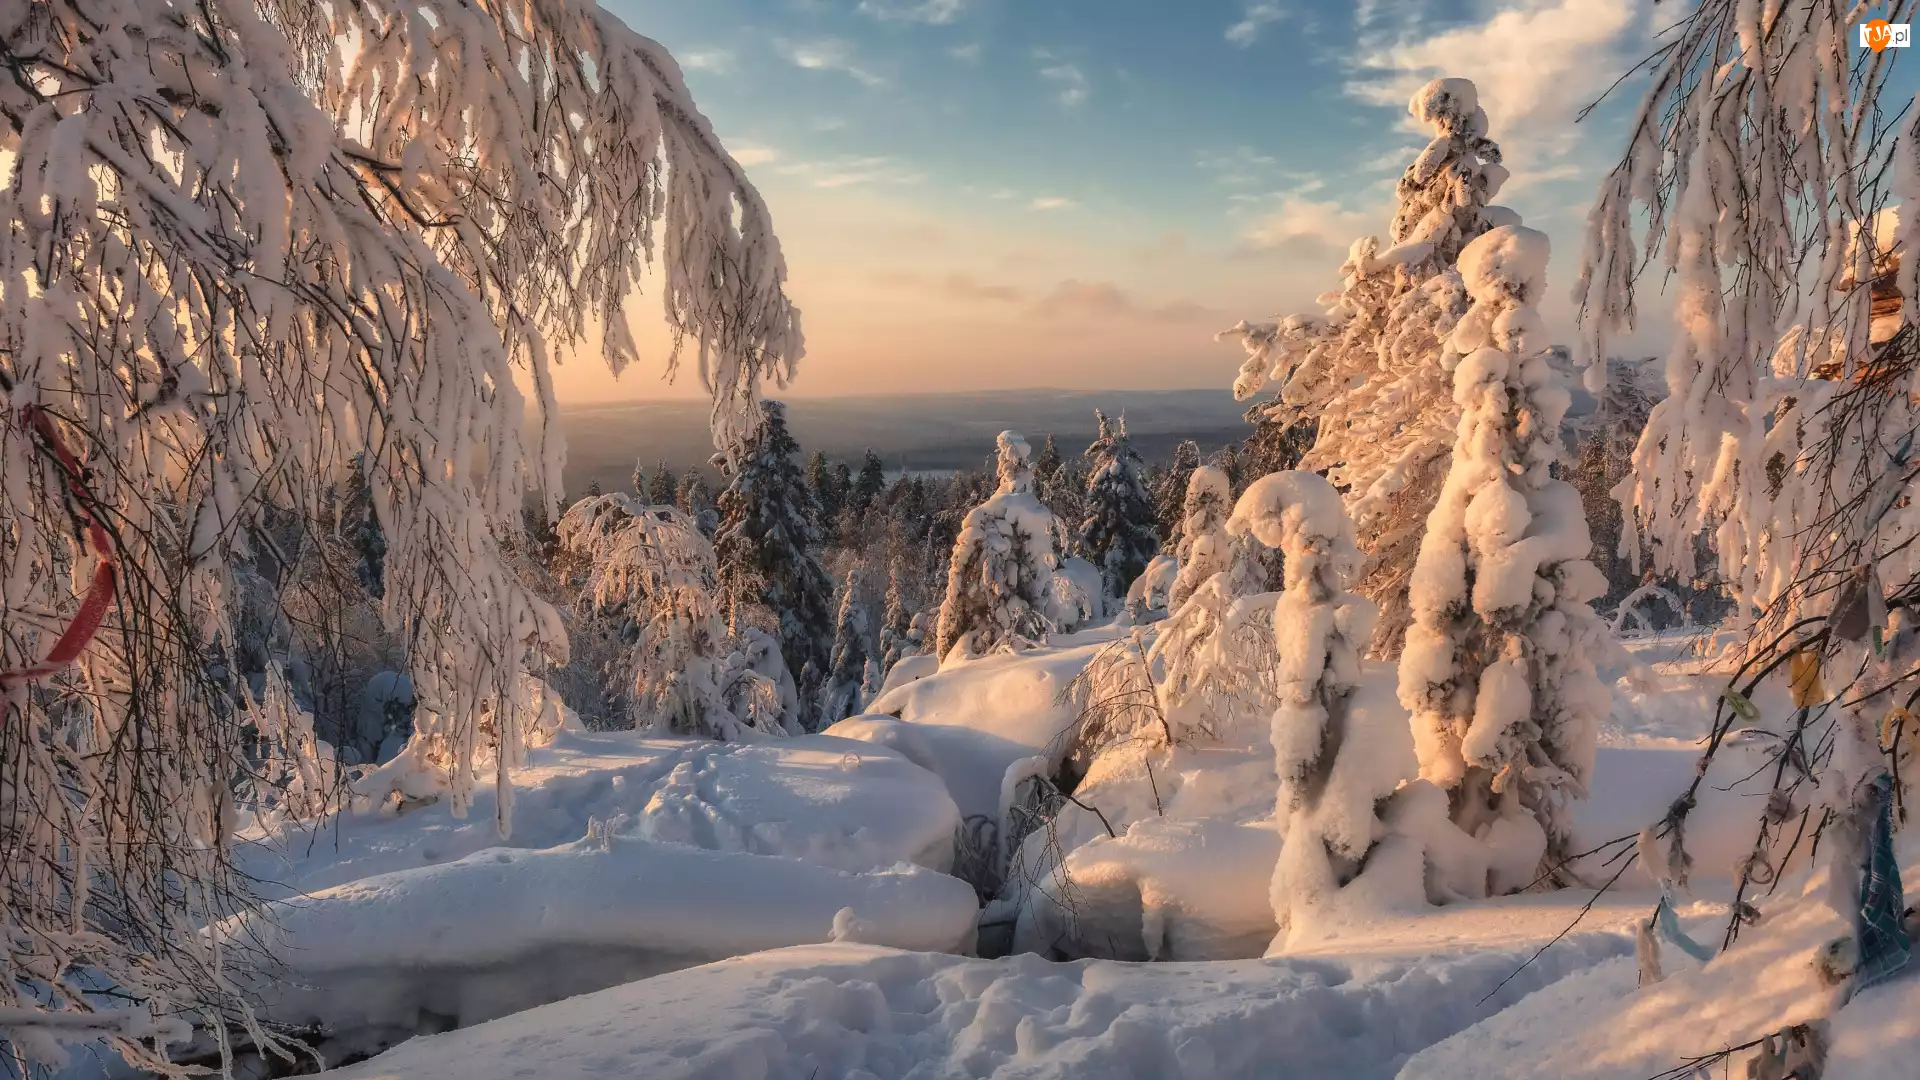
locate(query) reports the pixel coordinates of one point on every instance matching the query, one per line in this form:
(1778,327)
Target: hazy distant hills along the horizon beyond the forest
(911,431)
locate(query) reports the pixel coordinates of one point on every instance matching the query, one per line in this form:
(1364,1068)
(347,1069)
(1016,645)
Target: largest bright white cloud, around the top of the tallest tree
(1537,64)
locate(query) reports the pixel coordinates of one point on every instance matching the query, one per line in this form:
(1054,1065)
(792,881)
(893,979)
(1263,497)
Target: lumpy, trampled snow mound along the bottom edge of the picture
(873,1014)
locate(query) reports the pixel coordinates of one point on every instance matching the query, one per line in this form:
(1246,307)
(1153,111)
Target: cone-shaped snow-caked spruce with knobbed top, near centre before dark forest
(1001,566)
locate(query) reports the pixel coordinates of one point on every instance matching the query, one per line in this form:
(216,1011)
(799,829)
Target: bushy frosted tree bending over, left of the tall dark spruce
(652,577)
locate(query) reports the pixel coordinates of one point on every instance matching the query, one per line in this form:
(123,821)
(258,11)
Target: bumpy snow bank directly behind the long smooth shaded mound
(832,802)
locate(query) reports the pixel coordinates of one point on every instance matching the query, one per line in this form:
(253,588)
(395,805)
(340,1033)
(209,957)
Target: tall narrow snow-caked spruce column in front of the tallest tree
(1499,670)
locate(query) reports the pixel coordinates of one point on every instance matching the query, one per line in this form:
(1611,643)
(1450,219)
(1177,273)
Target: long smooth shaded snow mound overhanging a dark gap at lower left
(506,931)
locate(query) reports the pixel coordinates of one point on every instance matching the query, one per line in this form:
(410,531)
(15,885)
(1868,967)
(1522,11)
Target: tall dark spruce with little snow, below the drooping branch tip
(769,576)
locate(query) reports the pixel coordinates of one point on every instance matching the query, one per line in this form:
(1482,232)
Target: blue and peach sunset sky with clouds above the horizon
(1078,193)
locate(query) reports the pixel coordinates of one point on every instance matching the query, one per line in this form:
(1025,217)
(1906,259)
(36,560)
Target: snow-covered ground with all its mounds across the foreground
(811,873)
